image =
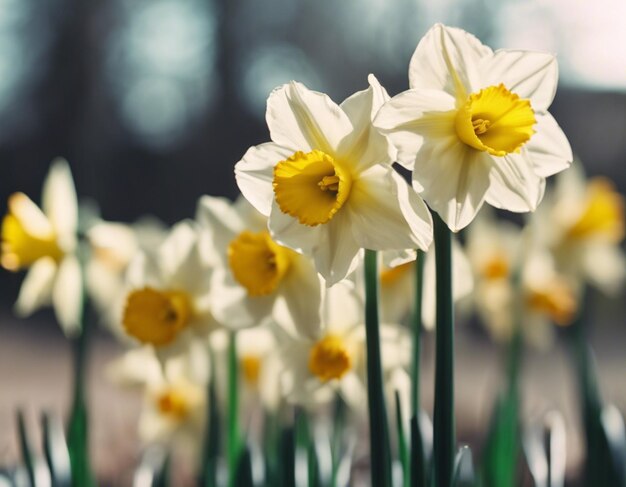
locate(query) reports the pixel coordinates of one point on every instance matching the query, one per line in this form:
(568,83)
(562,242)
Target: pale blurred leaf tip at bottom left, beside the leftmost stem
(56,451)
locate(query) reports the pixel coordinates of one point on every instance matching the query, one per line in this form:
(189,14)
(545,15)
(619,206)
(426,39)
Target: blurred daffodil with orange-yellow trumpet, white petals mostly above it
(168,294)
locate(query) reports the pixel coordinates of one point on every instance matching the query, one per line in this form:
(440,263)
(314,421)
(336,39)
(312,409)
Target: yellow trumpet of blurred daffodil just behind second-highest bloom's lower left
(257,262)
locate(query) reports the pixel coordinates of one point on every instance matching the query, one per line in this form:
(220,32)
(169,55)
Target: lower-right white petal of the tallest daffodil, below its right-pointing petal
(514,186)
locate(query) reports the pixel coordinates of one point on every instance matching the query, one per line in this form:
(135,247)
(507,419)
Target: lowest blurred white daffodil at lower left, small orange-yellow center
(175,400)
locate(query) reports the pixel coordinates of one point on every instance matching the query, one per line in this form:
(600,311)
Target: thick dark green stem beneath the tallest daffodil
(443,424)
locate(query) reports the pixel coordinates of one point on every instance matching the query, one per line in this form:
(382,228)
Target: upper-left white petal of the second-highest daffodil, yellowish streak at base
(301,119)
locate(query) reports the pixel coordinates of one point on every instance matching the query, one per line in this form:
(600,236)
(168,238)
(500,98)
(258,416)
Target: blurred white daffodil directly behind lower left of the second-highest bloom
(254,275)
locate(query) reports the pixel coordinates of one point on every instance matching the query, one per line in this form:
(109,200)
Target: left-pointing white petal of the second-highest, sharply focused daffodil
(255,172)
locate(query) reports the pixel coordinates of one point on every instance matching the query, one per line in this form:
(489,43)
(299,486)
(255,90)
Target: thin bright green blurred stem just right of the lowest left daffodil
(233,409)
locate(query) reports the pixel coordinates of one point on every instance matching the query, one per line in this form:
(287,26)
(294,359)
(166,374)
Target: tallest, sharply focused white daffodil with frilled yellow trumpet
(475,126)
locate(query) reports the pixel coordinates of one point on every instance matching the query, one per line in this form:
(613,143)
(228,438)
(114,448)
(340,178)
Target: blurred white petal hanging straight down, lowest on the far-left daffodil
(67,295)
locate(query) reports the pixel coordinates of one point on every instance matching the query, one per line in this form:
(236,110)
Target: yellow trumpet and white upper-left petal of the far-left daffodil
(26,235)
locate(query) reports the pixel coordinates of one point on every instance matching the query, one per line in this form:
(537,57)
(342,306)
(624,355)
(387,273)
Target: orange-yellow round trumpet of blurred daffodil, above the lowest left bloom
(156,317)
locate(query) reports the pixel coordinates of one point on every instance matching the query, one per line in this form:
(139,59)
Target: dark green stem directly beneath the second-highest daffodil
(379,433)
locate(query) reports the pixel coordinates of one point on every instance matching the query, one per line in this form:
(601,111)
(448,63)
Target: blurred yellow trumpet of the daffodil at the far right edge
(603,215)
